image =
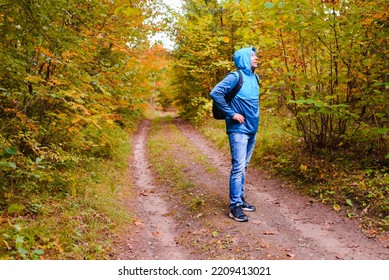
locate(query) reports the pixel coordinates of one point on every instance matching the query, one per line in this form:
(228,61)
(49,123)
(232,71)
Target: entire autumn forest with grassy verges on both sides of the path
(76,77)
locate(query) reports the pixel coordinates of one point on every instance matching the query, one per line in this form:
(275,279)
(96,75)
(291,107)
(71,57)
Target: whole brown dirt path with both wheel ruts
(285,225)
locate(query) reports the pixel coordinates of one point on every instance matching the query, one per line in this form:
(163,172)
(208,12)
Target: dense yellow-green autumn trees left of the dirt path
(68,74)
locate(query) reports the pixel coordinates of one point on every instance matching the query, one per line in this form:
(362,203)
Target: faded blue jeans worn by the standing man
(242,147)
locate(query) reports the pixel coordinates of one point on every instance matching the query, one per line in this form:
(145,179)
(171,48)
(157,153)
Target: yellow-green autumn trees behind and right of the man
(324,61)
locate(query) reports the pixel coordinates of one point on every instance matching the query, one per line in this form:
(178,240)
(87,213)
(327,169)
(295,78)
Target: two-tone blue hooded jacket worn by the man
(246,102)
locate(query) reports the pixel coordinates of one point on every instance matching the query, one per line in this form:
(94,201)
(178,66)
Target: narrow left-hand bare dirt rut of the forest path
(154,236)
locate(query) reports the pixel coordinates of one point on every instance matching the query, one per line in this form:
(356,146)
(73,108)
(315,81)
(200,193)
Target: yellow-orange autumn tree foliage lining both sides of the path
(73,74)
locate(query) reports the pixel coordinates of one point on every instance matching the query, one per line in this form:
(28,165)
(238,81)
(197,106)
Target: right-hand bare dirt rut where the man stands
(291,225)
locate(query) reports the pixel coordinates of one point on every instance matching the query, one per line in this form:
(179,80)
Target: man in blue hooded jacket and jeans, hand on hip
(242,118)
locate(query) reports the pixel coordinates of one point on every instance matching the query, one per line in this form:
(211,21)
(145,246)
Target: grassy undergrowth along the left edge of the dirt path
(64,204)
